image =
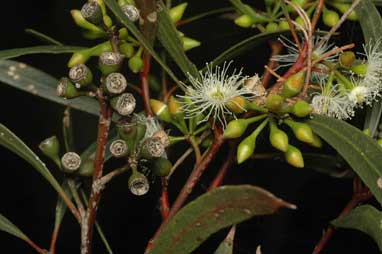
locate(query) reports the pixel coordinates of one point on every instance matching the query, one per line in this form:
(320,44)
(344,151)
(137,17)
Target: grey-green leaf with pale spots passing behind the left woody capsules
(36,82)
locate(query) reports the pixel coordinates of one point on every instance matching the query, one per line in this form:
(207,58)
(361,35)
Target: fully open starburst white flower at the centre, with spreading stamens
(210,95)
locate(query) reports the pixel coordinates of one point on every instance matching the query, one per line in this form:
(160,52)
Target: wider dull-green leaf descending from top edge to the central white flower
(169,38)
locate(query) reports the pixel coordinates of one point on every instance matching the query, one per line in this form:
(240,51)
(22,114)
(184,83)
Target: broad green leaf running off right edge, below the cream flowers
(361,152)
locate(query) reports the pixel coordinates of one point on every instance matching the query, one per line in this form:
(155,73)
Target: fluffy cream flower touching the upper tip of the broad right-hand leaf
(332,103)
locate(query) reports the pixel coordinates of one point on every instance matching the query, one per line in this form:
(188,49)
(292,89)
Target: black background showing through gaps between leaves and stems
(129,221)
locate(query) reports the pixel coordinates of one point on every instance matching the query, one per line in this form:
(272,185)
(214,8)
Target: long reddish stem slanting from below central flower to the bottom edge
(191,182)
